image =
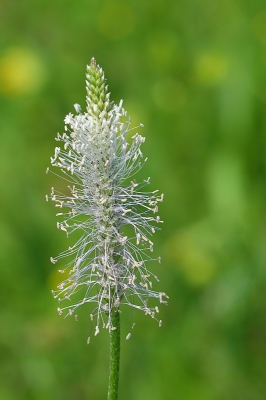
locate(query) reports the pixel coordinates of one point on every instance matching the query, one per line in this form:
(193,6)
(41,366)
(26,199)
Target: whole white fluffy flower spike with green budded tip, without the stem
(104,266)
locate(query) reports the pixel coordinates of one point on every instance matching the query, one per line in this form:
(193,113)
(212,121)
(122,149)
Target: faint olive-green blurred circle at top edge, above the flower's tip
(116,20)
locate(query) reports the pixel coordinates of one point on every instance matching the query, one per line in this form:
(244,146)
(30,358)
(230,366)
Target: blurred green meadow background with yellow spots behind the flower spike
(194,72)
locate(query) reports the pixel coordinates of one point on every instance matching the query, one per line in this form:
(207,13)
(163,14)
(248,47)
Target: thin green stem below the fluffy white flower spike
(114,356)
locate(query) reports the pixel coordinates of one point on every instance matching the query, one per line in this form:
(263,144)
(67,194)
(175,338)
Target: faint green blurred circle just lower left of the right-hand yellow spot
(169,95)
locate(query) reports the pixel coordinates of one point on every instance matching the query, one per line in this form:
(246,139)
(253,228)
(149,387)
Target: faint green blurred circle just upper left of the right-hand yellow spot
(162,48)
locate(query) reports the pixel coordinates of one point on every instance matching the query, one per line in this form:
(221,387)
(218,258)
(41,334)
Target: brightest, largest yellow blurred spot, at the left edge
(21,71)
